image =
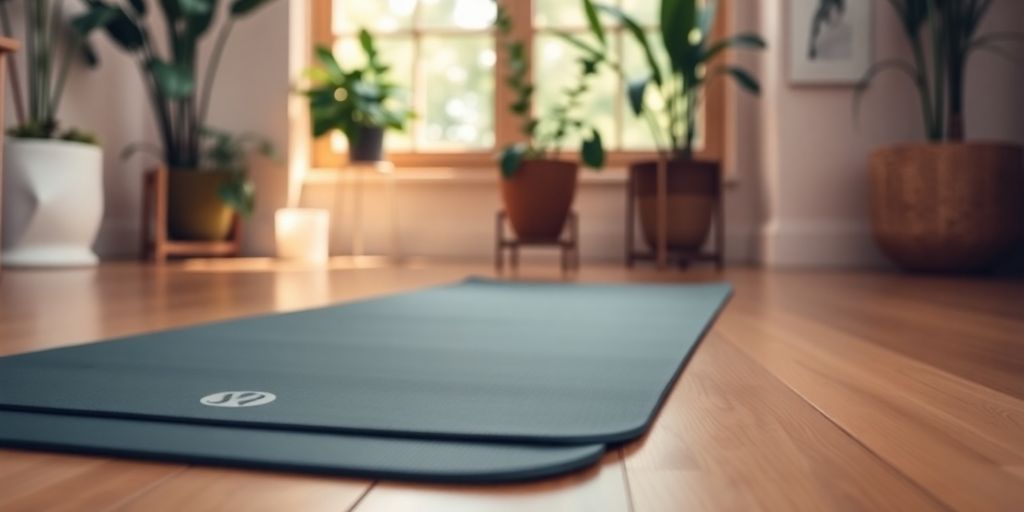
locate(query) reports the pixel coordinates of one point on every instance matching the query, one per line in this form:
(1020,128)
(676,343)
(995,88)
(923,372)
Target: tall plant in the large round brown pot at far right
(946,205)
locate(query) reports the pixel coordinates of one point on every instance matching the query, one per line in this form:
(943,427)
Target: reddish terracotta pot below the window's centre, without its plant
(539,197)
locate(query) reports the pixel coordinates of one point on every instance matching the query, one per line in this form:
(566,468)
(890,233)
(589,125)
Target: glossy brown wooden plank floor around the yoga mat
(815,392)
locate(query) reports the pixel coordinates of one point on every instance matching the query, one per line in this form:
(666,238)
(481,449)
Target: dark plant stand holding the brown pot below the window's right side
(662,254)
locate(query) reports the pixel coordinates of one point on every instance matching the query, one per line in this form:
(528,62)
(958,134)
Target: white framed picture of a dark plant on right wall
(830,41)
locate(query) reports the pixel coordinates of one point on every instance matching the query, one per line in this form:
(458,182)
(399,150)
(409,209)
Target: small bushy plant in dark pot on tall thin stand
(362,103)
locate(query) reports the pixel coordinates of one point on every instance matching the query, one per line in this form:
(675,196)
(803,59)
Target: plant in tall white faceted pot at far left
(54,194)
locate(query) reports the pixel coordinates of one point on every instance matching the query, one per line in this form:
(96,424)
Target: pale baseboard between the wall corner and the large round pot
(828,244)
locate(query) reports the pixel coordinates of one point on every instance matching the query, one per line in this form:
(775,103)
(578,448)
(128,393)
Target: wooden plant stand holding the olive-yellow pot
(157,245)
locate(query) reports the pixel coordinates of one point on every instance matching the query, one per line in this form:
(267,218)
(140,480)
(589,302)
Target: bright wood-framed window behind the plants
(445,55)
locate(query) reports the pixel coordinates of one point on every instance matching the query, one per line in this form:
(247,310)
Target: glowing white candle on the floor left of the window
(303,235)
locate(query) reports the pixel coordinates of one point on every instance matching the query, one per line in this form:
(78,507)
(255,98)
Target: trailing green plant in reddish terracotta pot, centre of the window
(538,187)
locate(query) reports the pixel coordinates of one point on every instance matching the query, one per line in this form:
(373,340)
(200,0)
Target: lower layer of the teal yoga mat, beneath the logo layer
(306,452)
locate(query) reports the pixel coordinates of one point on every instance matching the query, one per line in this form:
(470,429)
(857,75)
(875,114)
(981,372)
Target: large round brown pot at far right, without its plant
(951,208)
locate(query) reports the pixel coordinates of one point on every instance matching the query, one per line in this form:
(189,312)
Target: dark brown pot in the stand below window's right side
(693,187)
